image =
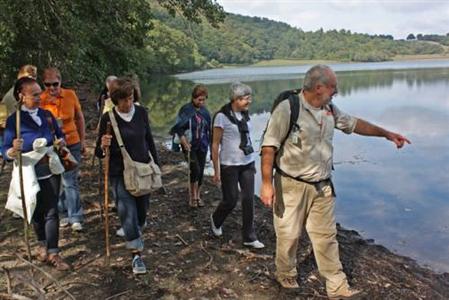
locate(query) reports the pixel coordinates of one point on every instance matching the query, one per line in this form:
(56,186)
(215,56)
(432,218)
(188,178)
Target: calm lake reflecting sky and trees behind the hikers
(399,198)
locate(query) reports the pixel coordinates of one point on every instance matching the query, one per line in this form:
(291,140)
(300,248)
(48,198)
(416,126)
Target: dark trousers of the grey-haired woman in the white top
(231,178)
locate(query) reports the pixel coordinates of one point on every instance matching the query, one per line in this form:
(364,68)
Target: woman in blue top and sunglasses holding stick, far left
(38,128)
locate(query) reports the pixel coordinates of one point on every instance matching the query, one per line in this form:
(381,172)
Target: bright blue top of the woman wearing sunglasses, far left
(30,131)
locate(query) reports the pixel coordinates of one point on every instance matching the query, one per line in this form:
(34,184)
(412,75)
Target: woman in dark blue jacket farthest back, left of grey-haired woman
(193,130)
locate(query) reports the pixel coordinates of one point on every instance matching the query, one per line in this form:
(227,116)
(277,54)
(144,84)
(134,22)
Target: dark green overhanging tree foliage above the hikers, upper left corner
(86,39)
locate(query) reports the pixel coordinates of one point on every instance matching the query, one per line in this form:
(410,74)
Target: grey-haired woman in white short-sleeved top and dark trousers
(233,159)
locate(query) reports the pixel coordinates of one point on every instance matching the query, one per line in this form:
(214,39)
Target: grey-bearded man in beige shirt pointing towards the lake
(302,195)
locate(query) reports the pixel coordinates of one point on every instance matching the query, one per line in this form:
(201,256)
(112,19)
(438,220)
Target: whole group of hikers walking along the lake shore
(296,163)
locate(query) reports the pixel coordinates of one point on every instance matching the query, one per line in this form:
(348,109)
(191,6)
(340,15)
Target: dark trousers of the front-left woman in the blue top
(45,217)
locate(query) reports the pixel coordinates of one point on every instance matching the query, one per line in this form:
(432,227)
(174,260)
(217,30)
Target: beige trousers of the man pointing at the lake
(299,204)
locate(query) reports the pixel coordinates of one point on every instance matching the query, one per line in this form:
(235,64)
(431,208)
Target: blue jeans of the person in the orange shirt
(69,204)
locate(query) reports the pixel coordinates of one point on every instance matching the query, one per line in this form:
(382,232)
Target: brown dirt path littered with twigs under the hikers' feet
(186,262)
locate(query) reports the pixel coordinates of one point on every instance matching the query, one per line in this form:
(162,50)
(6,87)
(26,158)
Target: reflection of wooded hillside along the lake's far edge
(164,96)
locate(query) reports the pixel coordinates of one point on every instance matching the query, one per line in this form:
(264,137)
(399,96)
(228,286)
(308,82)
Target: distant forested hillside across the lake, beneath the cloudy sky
(241,39)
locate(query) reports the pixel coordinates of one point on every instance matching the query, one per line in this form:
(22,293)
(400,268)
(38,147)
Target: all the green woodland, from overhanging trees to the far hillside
(88,40)
